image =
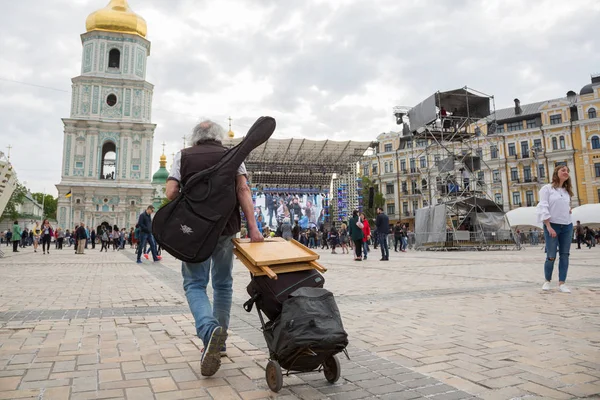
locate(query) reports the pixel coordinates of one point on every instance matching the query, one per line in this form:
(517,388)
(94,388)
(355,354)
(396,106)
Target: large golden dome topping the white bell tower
(116,17)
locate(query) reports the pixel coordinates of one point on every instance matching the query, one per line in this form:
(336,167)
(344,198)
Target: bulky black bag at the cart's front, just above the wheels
(310,322)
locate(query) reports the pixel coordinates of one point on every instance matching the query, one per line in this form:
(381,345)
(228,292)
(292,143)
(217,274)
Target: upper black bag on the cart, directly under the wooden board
(269,294)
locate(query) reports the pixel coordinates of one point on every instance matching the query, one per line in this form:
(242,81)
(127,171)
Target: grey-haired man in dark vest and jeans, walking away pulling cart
(211,322)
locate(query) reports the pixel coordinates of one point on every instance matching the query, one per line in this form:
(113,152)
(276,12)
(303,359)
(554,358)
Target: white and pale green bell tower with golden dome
(108,138)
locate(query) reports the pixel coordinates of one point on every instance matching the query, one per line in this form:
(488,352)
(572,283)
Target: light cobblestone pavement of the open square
(424,325)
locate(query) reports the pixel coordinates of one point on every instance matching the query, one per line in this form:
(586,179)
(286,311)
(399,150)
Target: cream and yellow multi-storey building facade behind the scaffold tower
(519,148)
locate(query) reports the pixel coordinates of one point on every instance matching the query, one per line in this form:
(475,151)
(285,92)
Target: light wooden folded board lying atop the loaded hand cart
(274,251)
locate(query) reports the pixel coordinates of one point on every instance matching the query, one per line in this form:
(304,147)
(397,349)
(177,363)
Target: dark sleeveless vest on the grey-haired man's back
(203,156)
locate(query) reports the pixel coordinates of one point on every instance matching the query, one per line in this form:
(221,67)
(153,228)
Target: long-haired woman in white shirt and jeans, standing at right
(554,211)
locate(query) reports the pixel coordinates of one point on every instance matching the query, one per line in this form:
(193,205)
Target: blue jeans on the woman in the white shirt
(562,241)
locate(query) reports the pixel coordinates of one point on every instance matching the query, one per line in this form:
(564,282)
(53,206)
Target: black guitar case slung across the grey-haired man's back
(189,227)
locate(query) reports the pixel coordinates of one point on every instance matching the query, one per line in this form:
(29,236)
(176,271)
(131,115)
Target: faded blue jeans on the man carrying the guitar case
(195,280)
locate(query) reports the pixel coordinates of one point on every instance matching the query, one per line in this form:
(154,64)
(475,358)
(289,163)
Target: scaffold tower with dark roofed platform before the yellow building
(449,154)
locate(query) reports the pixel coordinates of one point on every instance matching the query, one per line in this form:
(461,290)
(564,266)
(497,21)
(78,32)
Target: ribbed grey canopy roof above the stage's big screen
(295,165)
